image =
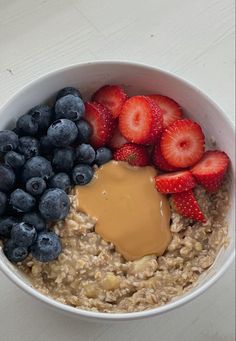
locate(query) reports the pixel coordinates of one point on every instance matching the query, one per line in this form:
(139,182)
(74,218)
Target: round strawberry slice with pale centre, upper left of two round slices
(140,120)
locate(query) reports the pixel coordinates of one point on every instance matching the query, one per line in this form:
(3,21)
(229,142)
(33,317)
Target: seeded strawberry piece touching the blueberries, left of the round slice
(102,122)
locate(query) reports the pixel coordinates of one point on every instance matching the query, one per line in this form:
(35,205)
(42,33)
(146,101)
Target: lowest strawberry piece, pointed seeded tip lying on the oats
(187,205)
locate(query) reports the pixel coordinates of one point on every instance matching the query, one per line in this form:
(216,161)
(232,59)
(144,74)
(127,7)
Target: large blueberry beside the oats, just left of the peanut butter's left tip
(54,204)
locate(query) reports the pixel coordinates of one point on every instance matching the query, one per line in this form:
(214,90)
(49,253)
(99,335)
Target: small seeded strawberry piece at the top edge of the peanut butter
(133,154)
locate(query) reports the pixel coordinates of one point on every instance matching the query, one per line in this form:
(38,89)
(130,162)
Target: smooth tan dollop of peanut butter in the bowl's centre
(129,211)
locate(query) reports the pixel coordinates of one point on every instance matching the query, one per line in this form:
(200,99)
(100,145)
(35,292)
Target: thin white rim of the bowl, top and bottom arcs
(87,314)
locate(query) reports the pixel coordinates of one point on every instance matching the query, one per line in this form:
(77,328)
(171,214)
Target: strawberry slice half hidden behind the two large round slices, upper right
(170,109)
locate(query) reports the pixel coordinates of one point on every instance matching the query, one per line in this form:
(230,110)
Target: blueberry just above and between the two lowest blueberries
(23,234)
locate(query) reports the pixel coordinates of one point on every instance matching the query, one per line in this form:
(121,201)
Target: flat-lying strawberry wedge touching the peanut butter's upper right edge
(175,182)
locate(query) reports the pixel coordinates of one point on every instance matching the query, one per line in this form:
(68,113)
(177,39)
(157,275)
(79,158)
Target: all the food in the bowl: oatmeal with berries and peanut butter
(114,204)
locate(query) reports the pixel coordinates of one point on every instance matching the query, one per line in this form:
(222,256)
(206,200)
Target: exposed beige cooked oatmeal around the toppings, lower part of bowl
(91,275)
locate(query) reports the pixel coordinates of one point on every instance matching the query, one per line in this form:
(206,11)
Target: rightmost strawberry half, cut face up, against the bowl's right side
(211,169)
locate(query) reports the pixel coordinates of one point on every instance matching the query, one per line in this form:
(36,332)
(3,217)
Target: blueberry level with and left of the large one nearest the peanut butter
(22,201)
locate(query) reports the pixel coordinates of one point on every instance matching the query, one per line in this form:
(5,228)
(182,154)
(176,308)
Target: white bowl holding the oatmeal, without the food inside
(137,79)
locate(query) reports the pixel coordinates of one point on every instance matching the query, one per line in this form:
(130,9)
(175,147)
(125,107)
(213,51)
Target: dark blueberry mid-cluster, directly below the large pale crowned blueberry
(63,159)
